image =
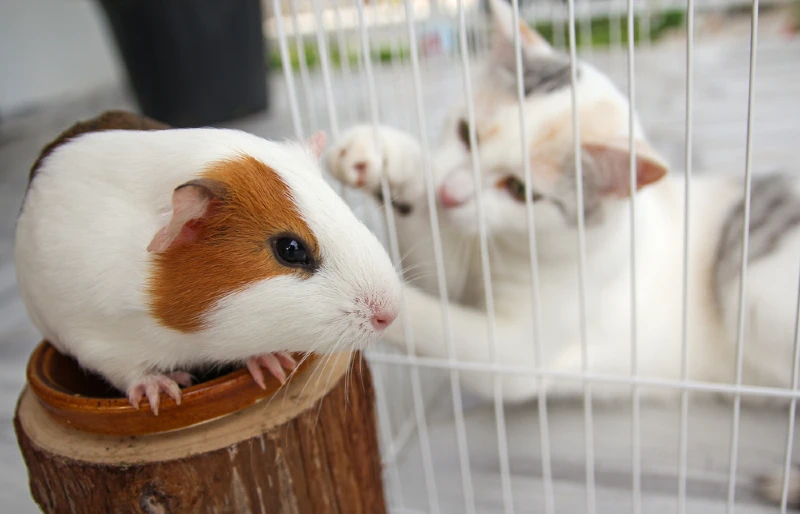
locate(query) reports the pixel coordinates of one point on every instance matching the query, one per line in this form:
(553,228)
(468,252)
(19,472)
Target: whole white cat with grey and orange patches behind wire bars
(715,241)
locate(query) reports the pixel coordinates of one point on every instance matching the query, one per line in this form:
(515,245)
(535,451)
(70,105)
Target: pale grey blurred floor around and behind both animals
(720,108)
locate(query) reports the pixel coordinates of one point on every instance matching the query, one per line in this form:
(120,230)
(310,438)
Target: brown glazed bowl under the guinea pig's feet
(84,401)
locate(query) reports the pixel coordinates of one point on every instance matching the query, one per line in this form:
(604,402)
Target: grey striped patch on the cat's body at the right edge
(774,209)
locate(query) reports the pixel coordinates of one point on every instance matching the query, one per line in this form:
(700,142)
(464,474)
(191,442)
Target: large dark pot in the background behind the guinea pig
(192,62)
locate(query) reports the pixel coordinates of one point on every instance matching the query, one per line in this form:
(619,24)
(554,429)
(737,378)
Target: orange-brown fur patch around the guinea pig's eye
(234,248)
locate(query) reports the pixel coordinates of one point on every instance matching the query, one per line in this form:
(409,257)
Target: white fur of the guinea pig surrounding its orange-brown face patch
(83,268)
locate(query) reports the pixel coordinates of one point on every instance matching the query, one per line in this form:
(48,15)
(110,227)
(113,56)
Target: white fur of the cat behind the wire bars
(659,251)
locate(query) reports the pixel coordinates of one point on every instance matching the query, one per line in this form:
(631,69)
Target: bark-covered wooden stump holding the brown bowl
(310,448)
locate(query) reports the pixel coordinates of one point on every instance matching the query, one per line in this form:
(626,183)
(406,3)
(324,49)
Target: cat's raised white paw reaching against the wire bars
(360,160)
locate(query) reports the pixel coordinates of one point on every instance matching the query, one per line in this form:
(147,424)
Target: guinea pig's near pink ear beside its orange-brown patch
(191,203)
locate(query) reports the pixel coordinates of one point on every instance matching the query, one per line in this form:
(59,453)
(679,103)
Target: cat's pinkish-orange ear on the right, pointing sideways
(610,164)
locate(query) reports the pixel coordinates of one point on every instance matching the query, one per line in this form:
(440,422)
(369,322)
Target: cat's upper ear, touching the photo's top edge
(531,42)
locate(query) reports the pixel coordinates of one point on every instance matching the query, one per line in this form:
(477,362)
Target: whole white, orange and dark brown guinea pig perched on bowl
(144,252)
